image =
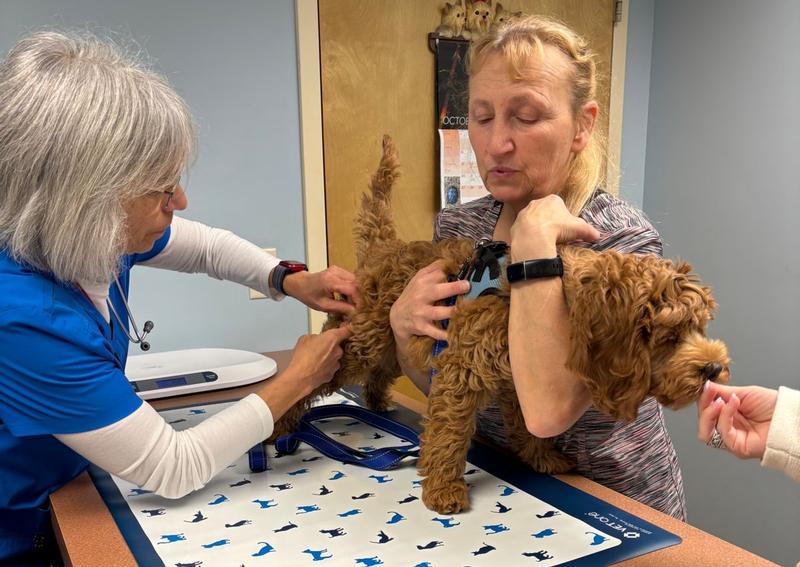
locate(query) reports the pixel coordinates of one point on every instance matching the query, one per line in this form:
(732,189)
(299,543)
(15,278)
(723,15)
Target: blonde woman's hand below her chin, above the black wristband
(542,224)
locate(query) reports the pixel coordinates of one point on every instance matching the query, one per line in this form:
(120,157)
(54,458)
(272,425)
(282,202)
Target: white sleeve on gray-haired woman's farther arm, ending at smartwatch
(194,247)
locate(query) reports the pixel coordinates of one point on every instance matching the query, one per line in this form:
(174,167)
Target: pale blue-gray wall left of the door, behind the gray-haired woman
(235,63)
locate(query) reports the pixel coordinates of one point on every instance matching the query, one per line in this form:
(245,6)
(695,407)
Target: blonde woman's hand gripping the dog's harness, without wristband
(415,312)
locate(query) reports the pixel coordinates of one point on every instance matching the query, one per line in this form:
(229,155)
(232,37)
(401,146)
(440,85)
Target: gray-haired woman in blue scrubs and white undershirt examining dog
(92,146)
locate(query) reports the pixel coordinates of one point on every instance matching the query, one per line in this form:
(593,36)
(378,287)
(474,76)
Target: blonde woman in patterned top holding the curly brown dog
(532,116)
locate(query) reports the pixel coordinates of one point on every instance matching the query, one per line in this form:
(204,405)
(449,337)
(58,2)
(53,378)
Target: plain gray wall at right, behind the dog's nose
(722,185)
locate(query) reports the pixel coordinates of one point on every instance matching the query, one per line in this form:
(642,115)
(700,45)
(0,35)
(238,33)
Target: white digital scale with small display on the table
(179,372)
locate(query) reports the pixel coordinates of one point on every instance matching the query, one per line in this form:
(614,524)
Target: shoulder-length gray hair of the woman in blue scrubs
(84,130)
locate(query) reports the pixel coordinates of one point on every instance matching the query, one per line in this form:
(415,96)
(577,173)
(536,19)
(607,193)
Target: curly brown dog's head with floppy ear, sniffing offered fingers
(638,329)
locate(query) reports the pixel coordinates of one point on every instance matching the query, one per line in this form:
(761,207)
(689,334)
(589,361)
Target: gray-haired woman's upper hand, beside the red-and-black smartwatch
(333,290)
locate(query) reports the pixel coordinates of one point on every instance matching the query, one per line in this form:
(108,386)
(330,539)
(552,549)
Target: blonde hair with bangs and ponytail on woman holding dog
(517,41)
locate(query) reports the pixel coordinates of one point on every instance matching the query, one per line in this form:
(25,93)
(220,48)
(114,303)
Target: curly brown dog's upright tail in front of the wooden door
(374,222)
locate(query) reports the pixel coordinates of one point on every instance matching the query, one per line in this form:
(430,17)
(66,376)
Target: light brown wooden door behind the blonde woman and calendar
(377,76)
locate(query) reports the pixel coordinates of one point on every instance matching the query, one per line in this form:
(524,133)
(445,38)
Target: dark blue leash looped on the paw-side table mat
(379,459)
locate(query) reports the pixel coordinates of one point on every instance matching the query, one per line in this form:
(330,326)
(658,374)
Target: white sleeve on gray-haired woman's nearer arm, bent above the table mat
(144,449)
